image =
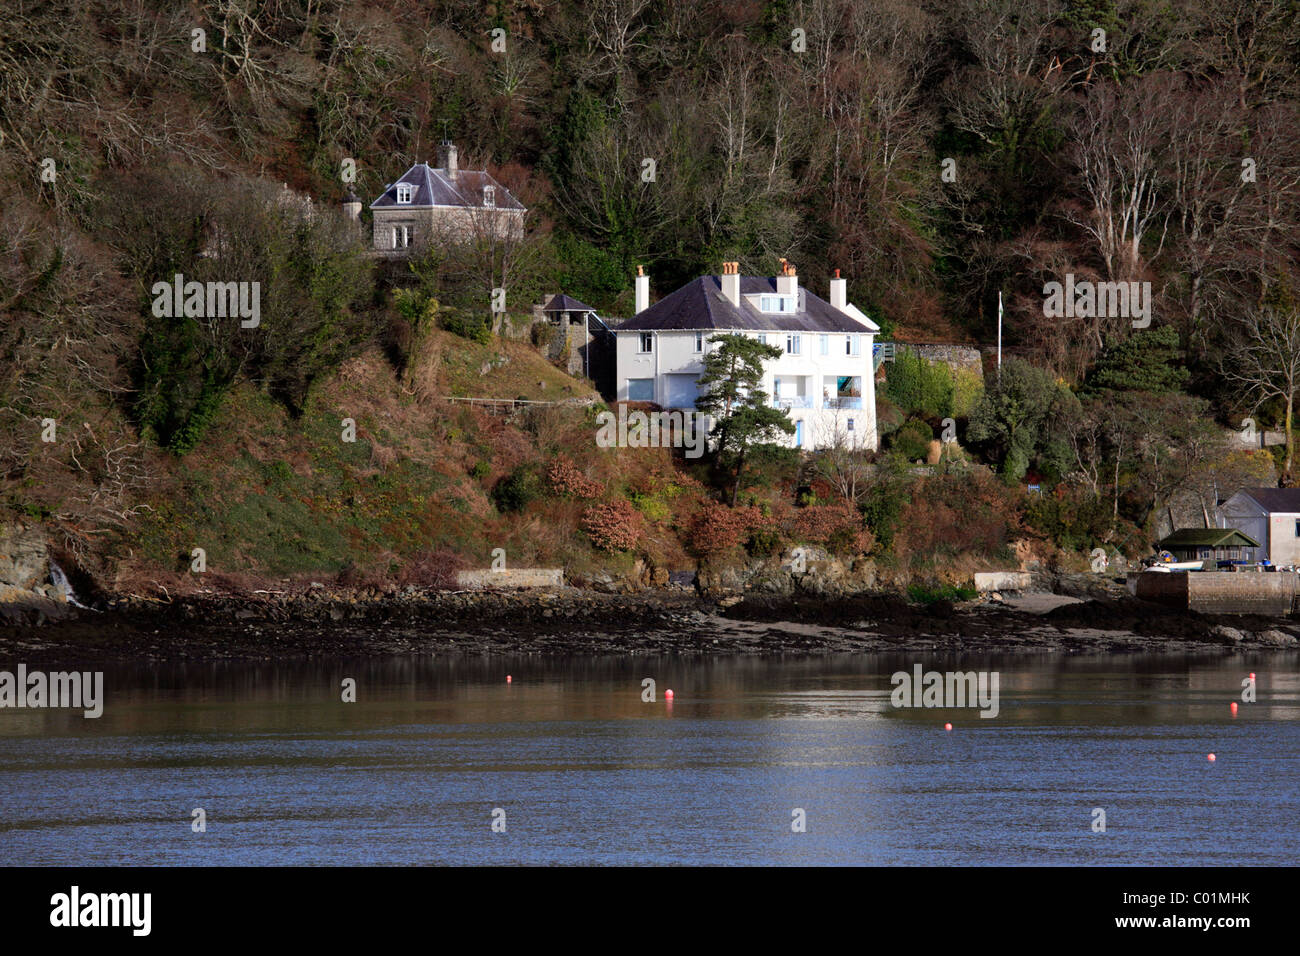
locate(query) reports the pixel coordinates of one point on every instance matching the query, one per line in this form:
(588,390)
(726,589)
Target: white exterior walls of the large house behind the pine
(675,354)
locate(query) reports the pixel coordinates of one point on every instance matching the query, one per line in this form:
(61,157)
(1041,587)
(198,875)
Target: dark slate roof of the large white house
(701,305)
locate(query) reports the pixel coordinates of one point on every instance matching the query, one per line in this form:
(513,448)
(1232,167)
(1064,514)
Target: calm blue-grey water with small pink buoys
(587,773)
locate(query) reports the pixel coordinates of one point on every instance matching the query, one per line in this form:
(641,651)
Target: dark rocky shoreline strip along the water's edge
(328,624)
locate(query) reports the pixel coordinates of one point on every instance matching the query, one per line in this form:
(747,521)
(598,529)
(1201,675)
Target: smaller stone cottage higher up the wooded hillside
(443,205)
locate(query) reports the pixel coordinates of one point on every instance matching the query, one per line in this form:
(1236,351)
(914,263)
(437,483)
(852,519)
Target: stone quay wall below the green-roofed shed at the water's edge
(1221,592)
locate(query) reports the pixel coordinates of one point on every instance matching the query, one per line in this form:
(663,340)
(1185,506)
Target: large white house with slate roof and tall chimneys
(825,378)
